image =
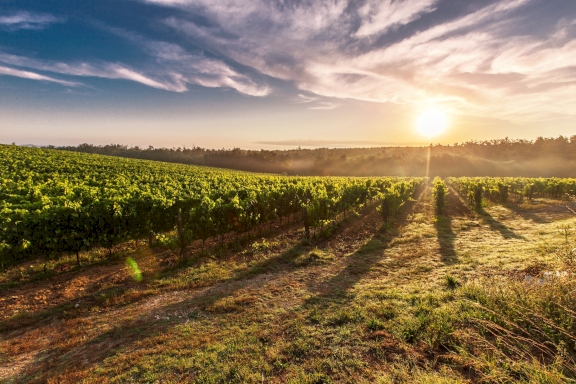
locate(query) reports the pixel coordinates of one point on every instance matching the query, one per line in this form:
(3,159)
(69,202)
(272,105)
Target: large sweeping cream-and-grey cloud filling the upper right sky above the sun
(469,61)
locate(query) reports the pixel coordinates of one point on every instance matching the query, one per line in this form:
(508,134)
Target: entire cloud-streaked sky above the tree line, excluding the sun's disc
(279,74)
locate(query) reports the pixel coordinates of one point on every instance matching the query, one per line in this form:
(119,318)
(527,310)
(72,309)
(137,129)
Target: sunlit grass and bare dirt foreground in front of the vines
(463,297)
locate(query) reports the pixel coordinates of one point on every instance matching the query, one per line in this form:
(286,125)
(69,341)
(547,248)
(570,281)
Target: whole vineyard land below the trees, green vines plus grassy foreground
(266,278)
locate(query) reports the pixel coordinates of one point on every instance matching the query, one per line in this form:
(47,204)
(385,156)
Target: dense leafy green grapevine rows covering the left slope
(54,202)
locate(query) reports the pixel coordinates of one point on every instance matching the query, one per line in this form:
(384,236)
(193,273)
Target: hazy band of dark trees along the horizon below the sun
(543,157)
